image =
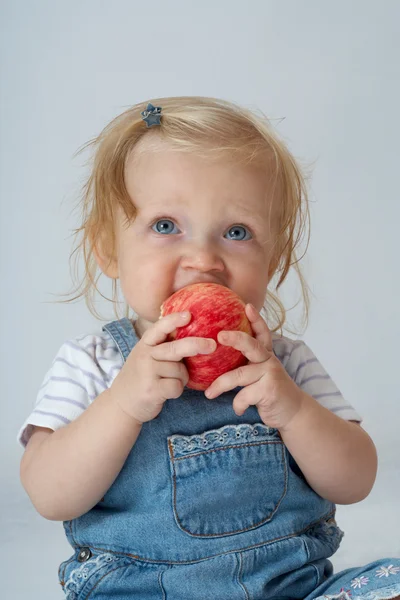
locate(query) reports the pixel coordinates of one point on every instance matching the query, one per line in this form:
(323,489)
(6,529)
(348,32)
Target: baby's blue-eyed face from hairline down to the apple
(196,221)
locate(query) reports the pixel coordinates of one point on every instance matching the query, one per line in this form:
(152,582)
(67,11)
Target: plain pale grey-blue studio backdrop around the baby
(331,69)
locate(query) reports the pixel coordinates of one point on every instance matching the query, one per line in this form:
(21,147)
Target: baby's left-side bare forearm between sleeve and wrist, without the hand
(67,472)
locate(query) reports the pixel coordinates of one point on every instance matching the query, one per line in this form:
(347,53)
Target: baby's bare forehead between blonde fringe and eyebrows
(159,174)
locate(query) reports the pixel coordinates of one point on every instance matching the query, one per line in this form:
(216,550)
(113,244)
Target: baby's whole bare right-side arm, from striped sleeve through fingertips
(336,456)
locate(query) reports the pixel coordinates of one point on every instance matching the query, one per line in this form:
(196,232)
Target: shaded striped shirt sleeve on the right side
(309,374)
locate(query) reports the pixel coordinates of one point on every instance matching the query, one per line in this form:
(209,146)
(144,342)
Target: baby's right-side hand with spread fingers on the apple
(267,384)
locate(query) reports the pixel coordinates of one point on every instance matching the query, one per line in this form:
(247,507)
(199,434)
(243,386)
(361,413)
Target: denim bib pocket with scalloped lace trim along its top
(227,481)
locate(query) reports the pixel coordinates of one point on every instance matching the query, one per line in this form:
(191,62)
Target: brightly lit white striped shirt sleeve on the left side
(75,378)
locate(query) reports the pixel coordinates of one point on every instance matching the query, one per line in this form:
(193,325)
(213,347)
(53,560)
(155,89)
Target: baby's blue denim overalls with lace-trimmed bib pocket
(208,505)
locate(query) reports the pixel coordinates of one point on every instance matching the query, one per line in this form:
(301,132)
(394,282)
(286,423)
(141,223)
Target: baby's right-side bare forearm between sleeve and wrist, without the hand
(337,457)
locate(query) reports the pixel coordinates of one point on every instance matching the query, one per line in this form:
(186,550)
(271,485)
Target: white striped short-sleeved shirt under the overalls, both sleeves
(84,367)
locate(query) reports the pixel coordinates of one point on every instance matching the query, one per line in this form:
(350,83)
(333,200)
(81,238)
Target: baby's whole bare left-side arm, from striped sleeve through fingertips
(67,472)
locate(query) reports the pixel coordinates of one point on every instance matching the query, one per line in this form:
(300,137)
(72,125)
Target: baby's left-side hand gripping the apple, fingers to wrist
(154,371)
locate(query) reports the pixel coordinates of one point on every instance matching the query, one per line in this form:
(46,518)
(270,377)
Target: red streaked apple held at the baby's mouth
(214,308)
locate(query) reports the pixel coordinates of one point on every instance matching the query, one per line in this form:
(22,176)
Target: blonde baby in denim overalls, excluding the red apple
(169,492)
